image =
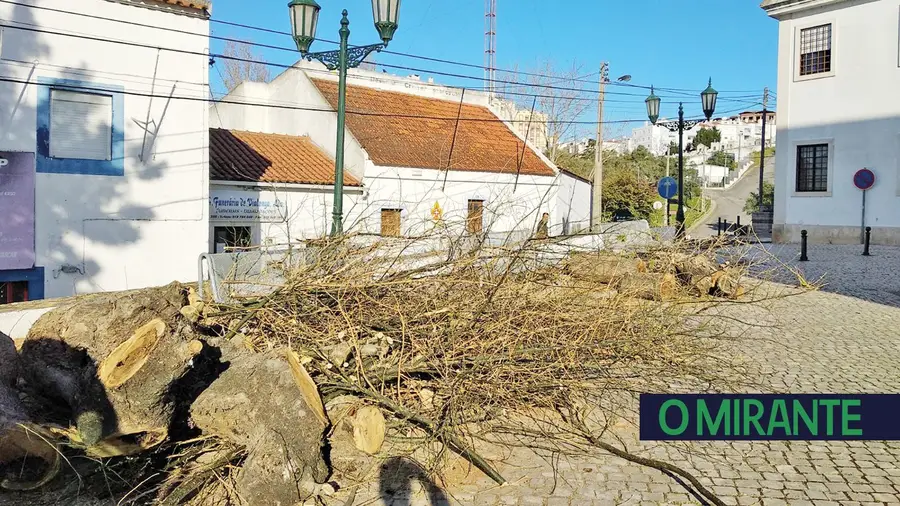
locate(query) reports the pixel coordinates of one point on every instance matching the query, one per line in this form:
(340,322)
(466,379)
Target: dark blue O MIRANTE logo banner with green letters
(707,417)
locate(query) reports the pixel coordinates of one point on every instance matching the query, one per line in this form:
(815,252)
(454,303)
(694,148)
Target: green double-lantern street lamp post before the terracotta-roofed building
(304,21)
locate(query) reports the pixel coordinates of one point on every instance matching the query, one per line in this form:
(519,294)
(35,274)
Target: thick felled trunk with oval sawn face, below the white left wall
(113,358)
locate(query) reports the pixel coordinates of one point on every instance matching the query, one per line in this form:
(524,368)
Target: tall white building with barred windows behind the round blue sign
(838,76)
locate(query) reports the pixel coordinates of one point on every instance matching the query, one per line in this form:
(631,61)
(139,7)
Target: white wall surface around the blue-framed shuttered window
(144,227)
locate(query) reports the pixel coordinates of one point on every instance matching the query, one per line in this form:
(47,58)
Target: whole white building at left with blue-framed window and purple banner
(103,178)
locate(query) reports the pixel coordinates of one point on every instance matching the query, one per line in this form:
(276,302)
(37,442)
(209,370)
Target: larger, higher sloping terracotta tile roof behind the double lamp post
(422,135)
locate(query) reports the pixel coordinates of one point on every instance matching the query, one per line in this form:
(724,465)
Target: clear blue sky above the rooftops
(668,43)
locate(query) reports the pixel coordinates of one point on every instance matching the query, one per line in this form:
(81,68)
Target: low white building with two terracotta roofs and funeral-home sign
(402,137)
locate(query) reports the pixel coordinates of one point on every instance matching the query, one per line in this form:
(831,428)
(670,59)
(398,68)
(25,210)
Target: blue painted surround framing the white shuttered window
(46,164)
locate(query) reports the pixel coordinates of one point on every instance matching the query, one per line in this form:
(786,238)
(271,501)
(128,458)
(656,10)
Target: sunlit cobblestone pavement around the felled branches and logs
(819,342)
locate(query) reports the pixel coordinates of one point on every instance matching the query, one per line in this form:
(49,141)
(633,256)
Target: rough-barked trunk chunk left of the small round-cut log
(258,403)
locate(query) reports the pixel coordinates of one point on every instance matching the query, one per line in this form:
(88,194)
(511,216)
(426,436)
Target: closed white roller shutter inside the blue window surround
(80,125)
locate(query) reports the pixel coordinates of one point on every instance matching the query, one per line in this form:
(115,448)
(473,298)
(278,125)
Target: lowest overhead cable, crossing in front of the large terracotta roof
(303,108)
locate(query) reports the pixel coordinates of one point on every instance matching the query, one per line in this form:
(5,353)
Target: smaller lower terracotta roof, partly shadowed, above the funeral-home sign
(269,158)
